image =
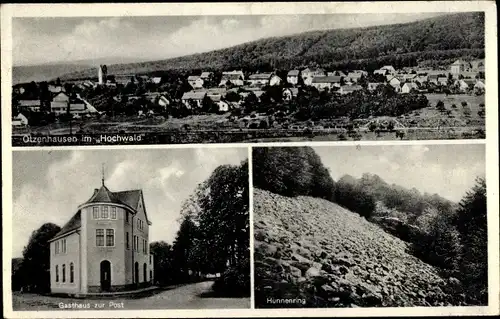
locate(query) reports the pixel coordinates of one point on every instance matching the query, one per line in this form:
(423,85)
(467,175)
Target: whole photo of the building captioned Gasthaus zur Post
(130,229)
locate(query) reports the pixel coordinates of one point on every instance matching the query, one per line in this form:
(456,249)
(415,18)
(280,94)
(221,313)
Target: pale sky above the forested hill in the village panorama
(65,39)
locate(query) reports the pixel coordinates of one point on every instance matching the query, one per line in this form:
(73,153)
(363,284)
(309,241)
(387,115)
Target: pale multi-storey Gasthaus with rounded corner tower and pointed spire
(104,246)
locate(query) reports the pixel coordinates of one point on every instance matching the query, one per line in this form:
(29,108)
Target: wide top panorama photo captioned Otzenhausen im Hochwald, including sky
(247,78)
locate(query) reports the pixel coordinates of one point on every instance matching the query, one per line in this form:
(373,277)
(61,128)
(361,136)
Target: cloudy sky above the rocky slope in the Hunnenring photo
(449,170)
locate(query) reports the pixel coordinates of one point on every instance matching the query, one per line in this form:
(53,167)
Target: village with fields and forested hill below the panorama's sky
(405,90)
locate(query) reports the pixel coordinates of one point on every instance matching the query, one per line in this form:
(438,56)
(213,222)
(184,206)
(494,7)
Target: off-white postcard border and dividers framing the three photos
(59,10)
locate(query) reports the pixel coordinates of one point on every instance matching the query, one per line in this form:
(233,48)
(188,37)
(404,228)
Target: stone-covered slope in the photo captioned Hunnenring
(314,249)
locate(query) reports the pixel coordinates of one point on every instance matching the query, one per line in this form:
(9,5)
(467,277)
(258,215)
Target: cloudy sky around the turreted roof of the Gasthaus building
(48,186)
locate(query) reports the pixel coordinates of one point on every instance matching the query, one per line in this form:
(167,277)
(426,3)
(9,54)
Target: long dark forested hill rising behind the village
(439,40)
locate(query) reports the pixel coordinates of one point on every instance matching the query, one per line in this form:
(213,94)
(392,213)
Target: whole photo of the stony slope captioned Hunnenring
(370,226)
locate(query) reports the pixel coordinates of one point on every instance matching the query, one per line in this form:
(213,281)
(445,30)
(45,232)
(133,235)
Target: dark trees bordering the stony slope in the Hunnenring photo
(451,237)
